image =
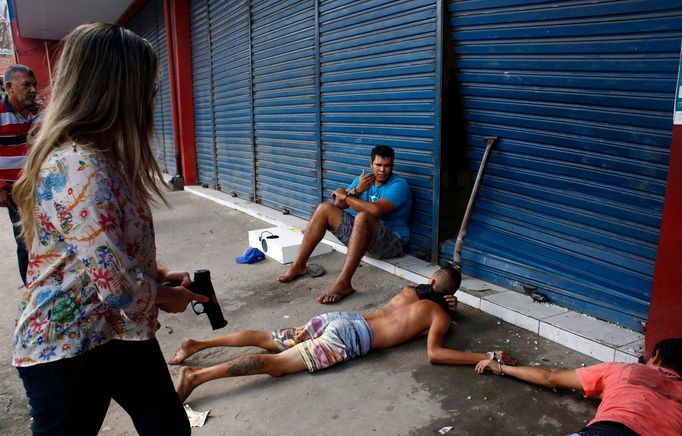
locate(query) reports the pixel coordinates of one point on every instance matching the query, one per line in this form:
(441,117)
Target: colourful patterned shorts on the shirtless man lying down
(329,339)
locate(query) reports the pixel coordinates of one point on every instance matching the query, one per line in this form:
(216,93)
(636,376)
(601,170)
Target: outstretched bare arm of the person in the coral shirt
(548,377)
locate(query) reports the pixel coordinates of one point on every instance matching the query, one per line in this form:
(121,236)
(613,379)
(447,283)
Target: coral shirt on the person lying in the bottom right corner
(647,399)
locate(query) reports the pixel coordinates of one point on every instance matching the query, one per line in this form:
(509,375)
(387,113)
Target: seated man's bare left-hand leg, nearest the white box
(326,217)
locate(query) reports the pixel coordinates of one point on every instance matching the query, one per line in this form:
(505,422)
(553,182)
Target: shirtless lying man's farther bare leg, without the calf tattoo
(244,338)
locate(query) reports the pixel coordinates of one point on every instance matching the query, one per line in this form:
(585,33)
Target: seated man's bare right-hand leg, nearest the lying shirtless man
(363,228)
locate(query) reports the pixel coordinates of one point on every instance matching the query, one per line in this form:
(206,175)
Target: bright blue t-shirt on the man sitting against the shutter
(397,191)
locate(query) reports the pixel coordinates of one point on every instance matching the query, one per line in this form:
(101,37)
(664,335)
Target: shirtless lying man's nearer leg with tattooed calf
(276,365)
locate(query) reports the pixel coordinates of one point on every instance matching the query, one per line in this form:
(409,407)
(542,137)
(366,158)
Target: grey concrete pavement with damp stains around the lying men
(388,392)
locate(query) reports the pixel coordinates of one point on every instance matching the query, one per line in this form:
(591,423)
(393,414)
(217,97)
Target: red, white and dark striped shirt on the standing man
(14,128)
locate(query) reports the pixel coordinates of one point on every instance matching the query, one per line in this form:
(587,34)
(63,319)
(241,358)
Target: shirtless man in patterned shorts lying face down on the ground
(336,337)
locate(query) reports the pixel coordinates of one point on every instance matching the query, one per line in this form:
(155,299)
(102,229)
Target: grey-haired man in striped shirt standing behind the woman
(17,114)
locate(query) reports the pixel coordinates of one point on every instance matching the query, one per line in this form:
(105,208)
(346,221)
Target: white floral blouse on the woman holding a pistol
(92,262)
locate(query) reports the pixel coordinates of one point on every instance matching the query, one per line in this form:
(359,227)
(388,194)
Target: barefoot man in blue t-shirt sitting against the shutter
(370,216)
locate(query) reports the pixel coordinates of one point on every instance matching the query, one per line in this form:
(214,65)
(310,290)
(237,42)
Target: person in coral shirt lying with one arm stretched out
(636,398)
